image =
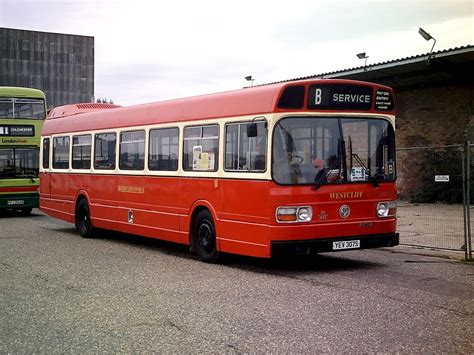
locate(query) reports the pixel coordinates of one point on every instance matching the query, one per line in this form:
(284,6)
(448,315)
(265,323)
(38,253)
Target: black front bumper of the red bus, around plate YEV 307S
(326,244)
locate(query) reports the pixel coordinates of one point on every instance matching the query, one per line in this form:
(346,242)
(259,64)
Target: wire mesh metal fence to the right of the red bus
(435,197)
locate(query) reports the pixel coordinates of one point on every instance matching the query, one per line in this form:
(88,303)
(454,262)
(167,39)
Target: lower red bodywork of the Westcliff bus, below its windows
(245,219)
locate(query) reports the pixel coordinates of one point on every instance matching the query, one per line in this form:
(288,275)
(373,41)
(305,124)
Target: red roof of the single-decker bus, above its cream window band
(248,101)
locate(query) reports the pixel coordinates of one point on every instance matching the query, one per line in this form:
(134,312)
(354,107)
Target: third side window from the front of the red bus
(163,149)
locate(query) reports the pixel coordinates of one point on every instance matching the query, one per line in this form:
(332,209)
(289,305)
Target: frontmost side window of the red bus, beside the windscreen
(243,153)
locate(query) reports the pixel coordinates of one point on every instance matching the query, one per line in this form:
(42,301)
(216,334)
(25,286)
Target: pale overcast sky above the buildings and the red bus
(155,50)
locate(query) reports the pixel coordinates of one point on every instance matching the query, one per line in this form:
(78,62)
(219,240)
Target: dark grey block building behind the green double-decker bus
(61,65)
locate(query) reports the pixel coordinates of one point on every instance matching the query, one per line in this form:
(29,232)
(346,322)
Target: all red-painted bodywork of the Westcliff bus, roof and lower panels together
(243,209)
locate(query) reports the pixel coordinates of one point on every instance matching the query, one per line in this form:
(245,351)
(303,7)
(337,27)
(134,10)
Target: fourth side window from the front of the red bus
(132,150)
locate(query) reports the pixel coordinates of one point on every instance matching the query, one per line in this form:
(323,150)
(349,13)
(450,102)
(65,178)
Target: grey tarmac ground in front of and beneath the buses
(60,293)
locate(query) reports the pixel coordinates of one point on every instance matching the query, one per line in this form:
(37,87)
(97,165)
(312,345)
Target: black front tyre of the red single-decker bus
(204,237)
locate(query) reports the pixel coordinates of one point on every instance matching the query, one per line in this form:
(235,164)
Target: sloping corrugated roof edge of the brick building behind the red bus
(463,54)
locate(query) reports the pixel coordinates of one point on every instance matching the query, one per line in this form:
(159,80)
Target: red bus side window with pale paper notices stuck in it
(201,148)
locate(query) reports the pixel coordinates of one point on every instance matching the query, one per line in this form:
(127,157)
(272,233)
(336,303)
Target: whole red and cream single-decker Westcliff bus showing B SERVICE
(295,167)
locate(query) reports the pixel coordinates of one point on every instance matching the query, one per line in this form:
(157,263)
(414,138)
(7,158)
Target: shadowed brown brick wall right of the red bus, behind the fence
(432,117)
